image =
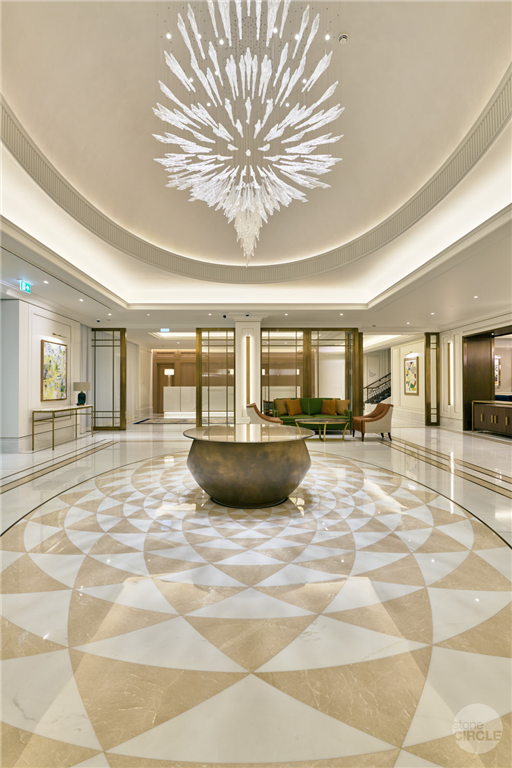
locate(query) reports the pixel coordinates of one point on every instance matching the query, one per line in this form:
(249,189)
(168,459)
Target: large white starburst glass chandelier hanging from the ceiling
(247,127)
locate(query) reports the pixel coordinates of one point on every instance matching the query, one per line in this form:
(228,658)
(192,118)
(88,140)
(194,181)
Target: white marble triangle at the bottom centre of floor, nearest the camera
(239,726)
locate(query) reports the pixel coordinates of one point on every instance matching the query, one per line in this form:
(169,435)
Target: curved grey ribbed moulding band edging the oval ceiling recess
(489,125)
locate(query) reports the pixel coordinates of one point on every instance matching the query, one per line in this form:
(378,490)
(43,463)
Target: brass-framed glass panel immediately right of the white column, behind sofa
(282,365)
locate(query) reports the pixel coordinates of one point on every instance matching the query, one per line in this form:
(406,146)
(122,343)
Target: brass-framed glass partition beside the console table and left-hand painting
(109,379)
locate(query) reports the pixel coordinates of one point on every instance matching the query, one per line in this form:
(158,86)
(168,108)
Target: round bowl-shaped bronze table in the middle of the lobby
(249,465)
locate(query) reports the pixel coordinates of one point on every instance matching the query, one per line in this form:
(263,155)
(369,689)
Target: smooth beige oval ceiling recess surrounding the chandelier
(82,79)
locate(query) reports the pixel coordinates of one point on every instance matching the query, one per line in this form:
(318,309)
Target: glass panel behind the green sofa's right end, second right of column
(328,363)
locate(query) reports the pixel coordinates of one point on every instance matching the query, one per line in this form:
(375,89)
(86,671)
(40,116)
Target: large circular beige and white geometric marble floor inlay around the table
(145,626)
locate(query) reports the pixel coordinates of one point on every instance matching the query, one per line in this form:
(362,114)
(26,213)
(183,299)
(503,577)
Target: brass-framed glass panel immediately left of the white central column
(216,364)
